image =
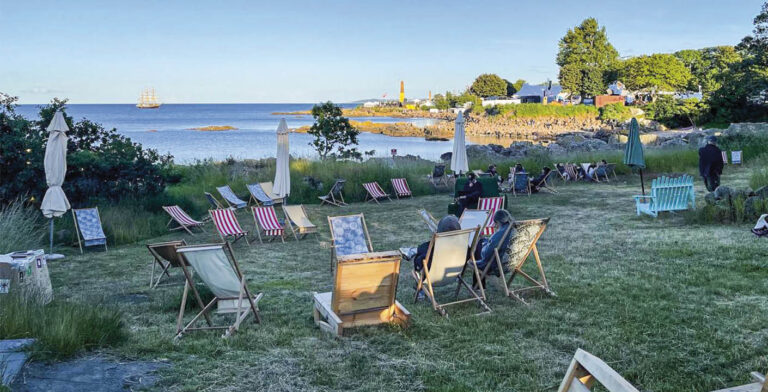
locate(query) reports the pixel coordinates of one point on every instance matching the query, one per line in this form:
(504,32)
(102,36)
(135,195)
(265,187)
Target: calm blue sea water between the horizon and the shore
(167,130)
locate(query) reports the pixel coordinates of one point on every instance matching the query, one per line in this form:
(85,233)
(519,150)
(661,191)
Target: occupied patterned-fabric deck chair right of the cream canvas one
(527,232)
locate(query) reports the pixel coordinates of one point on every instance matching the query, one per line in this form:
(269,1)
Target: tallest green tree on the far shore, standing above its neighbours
(585,56)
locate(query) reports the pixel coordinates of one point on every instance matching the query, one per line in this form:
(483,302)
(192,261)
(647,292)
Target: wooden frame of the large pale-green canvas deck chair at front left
(241,312)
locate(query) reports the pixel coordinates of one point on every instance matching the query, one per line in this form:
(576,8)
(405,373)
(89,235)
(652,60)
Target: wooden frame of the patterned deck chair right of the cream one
(542,284)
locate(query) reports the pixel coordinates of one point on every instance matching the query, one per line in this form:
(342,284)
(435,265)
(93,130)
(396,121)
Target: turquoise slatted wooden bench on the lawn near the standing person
(667,194)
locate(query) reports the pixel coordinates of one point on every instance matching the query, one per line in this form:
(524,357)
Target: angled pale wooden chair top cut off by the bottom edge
(586,369)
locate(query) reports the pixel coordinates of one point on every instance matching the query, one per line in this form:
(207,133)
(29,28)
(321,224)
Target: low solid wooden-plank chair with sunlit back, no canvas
(363,294)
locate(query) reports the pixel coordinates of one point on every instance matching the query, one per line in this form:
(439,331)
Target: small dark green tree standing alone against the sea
(332,131)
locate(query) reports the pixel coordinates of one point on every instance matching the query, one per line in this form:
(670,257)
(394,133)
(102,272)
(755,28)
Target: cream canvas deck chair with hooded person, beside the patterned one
(448,252)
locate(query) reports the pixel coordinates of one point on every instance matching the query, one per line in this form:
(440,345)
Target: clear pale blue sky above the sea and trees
(307,51)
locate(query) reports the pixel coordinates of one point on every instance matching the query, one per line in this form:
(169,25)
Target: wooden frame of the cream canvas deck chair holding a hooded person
(424,281)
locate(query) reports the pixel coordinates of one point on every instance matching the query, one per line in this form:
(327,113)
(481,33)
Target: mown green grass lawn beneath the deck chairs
(672,307)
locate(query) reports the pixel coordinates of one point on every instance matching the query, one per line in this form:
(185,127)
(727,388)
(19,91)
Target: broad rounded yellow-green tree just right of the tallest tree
(657,72)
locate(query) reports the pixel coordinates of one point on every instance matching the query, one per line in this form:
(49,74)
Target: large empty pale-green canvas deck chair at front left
(217,267)
